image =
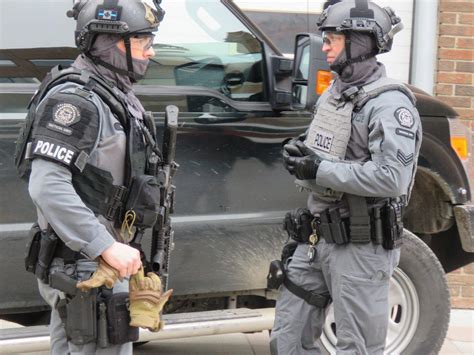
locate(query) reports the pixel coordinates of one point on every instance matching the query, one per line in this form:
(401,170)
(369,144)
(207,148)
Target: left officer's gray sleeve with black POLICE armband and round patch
(67,126)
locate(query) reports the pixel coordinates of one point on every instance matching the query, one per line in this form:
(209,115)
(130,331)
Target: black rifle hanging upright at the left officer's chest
(162,235)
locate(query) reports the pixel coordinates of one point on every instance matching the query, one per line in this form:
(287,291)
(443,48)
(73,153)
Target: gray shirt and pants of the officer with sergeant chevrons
(380,162)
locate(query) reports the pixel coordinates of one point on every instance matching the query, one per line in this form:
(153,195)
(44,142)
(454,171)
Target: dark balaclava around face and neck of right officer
(358,73)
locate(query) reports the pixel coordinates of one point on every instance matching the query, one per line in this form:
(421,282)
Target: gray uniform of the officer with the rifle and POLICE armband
(72,220)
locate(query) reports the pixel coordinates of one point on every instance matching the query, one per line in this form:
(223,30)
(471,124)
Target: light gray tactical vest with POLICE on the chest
(330,129)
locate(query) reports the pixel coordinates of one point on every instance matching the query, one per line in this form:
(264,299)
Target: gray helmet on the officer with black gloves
(362,16)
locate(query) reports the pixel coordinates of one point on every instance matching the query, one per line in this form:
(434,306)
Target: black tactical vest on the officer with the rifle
(93,185)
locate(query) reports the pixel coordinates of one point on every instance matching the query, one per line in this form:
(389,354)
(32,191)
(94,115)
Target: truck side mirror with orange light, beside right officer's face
(311,73)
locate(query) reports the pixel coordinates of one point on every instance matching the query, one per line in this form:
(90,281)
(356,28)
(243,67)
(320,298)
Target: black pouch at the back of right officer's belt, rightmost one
(392,225)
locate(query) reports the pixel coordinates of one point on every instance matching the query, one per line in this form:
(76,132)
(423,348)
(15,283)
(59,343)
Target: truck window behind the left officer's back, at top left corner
(35,35)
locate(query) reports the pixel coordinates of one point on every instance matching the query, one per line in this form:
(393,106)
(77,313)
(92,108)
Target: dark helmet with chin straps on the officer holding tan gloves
(125,18)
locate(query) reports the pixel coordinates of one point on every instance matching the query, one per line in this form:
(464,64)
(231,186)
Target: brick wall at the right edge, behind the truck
(454,85)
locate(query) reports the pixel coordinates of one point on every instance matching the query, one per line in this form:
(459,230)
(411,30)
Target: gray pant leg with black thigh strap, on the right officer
(298,324)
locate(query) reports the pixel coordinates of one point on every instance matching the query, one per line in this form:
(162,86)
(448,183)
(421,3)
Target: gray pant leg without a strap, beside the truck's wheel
(360,276)
